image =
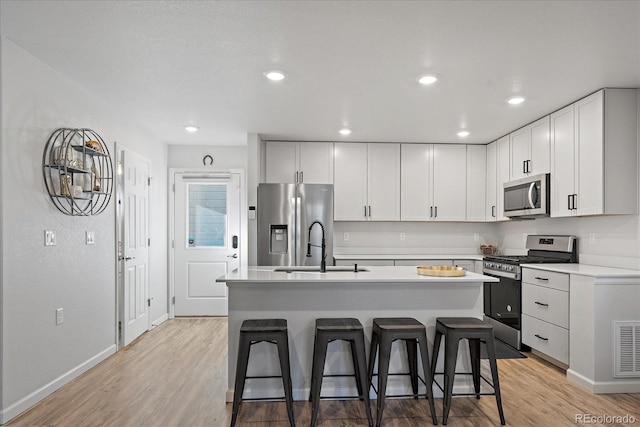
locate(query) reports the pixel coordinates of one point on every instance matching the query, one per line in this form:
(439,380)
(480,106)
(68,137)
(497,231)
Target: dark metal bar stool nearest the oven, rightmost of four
(474,330)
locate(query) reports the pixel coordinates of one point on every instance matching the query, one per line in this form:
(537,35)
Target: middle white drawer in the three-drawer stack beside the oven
(550,305)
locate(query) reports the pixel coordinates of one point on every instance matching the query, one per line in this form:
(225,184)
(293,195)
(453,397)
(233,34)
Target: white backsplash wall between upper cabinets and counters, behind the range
(612,241)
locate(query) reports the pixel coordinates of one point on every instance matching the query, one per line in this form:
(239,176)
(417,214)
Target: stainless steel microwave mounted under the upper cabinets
(528,197)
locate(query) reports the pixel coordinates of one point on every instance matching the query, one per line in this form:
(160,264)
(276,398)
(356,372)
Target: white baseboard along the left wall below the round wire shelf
(28,401)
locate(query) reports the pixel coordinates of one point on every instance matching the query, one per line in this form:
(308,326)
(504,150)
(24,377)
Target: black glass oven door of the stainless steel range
(502,300)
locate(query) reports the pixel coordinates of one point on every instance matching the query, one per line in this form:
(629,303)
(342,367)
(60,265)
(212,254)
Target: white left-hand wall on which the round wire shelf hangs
(38,356)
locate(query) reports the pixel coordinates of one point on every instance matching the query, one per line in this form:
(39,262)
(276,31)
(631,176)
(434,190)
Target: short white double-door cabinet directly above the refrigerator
(299,162)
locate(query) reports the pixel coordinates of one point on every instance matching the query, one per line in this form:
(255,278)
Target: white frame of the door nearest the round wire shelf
(119,240)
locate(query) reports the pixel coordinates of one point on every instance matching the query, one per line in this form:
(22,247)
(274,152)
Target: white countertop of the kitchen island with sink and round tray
(377,274)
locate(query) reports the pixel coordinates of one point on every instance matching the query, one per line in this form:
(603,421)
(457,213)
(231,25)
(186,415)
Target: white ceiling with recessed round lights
(166,64)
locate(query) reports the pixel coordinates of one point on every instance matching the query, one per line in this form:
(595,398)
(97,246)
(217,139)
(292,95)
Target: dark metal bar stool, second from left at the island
(328,330)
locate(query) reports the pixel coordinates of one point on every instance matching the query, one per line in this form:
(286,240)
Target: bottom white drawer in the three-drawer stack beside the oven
(547,338)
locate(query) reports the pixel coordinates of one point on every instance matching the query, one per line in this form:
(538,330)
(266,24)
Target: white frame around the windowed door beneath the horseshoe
(243,238)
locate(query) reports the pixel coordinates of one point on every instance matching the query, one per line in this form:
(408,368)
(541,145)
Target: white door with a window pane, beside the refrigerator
(207,239)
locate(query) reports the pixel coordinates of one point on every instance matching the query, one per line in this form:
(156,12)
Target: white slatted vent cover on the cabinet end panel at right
(627,349)
